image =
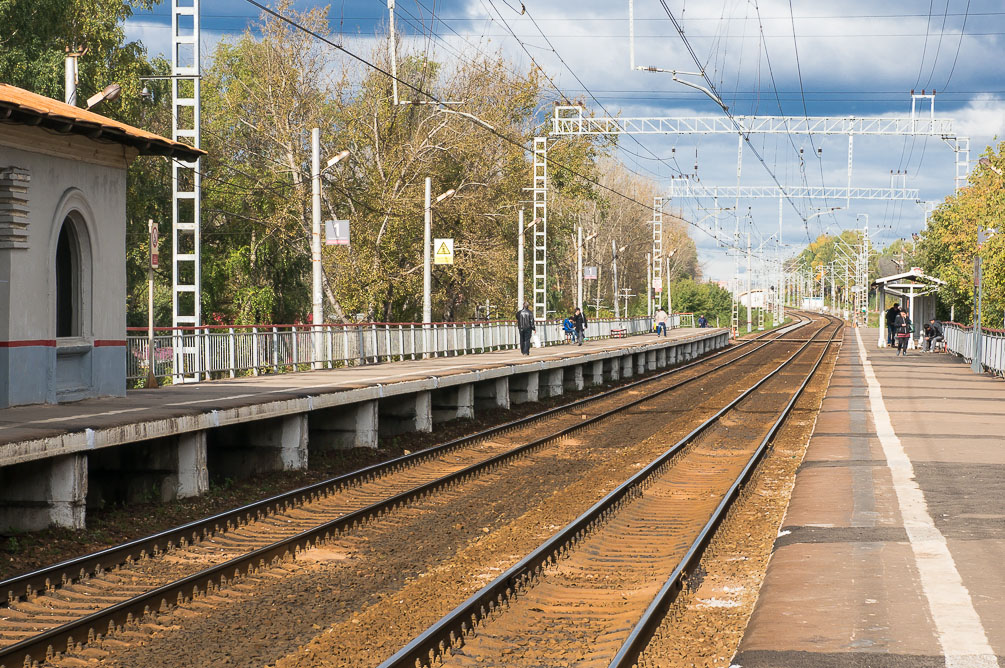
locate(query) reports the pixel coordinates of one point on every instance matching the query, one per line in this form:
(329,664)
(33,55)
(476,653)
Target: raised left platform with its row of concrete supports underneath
(166,442)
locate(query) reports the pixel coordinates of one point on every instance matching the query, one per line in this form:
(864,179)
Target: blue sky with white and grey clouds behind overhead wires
(854,58)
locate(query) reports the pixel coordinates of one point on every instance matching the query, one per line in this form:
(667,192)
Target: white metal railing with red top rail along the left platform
(216,352)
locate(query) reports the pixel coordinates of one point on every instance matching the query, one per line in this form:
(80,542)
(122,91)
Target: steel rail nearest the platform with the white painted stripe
(650,623)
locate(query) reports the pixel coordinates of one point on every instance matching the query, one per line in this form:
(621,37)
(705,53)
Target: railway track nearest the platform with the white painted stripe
(595,593)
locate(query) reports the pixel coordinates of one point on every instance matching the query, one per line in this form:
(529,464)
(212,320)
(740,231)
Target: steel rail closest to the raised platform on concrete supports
(77,569)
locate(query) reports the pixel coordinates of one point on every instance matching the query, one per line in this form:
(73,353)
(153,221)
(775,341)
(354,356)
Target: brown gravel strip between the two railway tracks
(376,587)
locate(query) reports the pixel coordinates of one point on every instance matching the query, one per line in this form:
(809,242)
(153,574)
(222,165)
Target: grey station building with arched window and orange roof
(63,248)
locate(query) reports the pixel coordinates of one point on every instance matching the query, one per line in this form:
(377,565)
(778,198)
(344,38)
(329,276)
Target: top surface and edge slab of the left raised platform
(154,413)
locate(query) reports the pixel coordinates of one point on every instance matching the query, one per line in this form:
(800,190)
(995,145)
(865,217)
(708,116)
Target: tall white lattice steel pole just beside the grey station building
(186,183)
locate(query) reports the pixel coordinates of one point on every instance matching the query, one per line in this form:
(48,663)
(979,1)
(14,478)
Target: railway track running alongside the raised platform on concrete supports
(66,605)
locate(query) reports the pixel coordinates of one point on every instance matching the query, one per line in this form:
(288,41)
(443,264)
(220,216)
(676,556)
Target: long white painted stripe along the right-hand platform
(960,630)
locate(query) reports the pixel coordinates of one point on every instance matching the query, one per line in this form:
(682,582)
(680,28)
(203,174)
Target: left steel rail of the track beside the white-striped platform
(446,633)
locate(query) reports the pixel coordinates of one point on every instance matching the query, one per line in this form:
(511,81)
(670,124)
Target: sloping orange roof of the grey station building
(27,108)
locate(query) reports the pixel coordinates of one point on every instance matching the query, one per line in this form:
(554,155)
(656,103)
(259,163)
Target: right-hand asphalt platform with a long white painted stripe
(893,550)
